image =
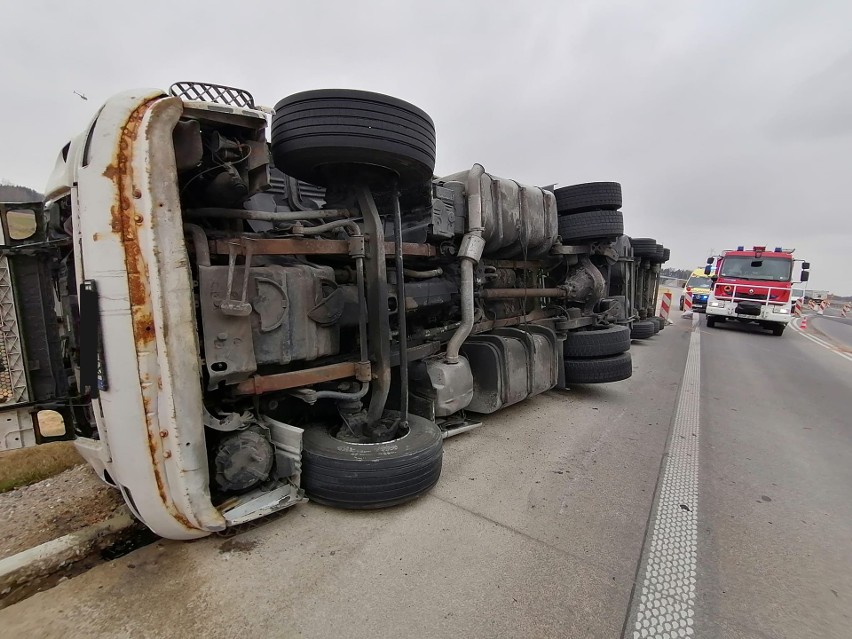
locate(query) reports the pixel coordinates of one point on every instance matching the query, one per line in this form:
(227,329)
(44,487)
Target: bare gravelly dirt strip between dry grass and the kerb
(71,500)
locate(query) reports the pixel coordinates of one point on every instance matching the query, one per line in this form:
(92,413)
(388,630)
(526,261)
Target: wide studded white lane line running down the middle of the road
(667,597)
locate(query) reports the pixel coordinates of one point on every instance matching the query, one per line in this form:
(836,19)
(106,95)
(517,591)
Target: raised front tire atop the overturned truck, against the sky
(314,131)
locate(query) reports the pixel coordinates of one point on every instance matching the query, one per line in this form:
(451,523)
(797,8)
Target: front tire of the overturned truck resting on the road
(364,476)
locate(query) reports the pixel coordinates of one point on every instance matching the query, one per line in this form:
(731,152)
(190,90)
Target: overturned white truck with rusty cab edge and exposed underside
(242,321)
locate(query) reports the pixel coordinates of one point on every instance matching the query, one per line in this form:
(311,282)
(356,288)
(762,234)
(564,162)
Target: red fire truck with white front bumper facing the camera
(753,286)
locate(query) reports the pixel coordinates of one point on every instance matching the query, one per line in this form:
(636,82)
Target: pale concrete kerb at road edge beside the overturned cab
(43,560)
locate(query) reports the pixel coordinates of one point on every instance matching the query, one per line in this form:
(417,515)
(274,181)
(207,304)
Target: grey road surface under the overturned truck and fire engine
(549,521)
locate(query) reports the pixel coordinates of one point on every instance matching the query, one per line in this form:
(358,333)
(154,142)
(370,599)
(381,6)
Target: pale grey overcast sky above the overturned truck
(727,122)
